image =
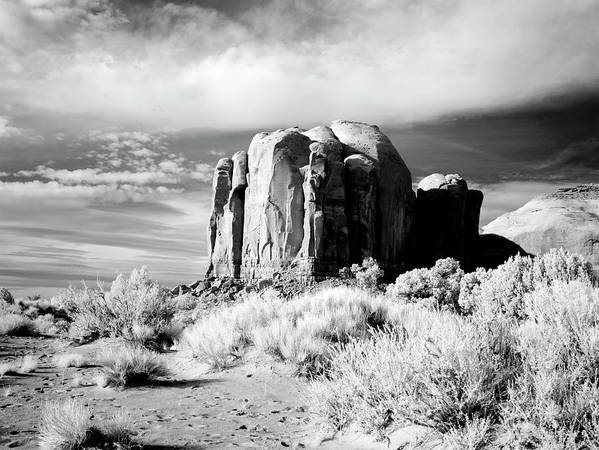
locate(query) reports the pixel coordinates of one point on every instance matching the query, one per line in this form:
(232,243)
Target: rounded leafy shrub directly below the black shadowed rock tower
(438,286)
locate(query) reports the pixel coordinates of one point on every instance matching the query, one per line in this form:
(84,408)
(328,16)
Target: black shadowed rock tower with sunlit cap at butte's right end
(447,221)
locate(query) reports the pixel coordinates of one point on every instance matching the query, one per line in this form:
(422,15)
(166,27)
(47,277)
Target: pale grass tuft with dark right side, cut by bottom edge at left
(67,426)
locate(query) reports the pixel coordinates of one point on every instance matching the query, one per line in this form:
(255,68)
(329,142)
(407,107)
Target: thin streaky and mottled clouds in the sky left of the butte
(64,225)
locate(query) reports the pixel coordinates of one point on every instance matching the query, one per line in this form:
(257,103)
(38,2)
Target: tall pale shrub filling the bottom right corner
(556,396)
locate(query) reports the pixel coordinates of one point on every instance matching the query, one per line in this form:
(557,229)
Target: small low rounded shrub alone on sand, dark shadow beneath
(129,366)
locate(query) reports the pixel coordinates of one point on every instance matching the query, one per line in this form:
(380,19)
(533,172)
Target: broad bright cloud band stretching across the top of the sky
(280,62)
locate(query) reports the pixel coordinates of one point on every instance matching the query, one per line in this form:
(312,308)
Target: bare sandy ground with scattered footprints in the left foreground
(258,404)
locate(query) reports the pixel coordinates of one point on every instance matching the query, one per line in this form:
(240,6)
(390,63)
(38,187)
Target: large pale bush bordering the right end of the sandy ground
(435,368)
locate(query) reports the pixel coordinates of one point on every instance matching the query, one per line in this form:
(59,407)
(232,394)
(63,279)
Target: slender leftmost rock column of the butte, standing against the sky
(218,253)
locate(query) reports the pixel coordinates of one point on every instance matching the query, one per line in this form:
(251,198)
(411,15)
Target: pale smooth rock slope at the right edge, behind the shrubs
(567,218)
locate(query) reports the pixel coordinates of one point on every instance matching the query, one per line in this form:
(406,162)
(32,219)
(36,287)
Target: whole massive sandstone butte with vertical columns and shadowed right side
(309,202)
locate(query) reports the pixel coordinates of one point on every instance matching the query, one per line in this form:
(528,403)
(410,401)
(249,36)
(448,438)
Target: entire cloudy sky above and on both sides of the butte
(113,113)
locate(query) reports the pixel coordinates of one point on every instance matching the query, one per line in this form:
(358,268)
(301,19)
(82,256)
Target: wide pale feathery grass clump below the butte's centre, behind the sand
(300,330)
